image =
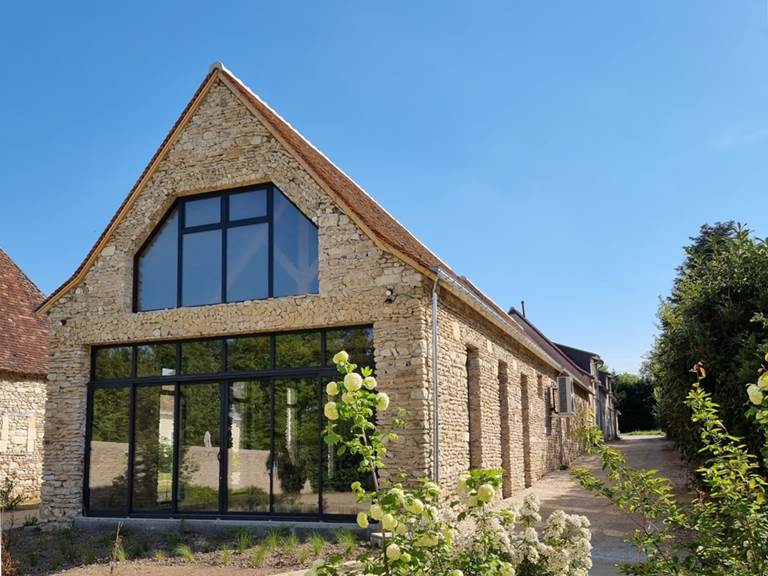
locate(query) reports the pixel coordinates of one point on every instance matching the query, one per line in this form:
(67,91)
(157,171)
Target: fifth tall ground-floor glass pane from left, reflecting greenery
(297,446)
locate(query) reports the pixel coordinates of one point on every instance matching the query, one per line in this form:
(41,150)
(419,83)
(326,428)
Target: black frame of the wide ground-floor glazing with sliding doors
(321,373)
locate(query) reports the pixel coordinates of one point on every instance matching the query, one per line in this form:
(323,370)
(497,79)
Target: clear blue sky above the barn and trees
(556,152)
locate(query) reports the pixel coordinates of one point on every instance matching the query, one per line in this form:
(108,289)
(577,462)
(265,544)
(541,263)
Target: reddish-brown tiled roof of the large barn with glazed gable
(379,224)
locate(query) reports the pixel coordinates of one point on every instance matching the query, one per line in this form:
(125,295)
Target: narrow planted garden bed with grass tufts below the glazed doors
(80,553)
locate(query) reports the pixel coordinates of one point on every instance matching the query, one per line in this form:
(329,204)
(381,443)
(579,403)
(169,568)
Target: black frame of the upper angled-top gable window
(224,224)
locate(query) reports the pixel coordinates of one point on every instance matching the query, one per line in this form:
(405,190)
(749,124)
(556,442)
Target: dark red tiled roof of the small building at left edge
(23,334)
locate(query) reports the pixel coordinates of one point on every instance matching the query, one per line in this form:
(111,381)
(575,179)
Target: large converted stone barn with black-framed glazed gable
(190,350)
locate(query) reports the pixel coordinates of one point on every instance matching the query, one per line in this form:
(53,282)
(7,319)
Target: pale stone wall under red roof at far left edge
(22,417)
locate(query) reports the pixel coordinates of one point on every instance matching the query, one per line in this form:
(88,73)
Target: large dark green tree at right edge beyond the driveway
(713,314)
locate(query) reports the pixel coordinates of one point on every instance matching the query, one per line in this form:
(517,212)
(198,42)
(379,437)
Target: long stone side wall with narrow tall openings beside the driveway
(513,427)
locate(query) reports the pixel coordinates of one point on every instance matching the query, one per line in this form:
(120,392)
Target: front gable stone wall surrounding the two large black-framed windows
(225,146)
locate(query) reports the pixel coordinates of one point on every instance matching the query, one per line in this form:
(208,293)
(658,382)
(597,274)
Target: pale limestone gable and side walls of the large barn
(225,146)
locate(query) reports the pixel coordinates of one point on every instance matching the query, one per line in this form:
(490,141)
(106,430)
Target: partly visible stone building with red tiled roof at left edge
(23,369)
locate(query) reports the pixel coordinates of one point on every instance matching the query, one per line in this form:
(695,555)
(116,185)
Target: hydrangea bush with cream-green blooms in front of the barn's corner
(425,532)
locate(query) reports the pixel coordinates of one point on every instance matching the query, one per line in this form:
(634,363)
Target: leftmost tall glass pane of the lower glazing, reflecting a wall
(108,462)
